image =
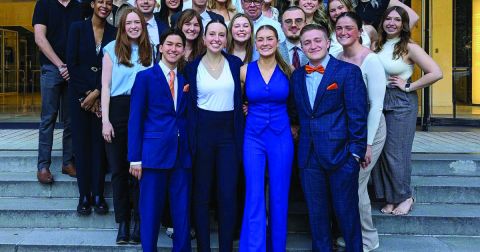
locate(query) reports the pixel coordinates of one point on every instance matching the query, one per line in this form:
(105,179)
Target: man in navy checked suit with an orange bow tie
(331,103)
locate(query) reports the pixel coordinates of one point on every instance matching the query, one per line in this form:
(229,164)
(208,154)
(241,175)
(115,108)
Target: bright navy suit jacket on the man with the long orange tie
(157,133)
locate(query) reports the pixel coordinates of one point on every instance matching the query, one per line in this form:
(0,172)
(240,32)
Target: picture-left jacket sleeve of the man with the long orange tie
(138,107)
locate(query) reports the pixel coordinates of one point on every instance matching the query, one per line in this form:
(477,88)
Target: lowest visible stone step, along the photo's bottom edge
(103,240)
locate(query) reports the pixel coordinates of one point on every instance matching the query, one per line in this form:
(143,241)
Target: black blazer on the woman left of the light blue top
(84,65)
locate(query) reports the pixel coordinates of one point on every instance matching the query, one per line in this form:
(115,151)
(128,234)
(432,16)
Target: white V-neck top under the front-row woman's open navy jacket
(215,94)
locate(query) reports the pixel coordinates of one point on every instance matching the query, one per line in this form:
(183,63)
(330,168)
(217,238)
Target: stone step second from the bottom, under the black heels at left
(425,219)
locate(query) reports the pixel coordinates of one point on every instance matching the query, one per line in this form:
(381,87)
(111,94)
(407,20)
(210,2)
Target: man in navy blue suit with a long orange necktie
(157,144)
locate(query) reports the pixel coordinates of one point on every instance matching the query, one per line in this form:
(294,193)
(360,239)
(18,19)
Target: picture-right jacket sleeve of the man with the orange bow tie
(356,109)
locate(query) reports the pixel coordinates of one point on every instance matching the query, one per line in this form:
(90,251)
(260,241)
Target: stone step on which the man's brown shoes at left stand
(450,189)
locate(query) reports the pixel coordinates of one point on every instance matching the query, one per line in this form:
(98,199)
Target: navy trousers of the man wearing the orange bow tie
(338,188)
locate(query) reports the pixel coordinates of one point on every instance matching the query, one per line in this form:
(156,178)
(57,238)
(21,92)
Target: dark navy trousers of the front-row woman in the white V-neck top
(215,162)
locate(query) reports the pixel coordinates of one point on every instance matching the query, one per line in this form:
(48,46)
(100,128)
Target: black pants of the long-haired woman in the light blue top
(125,186)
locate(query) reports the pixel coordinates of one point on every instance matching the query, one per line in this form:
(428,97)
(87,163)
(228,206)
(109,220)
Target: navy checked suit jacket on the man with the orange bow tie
(336,127)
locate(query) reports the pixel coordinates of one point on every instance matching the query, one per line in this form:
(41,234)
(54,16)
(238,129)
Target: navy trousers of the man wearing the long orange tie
(153,195)
